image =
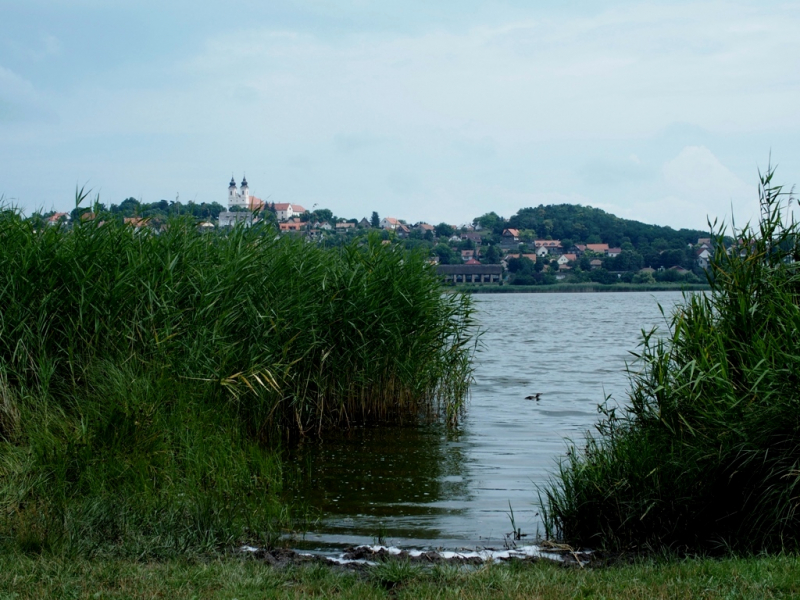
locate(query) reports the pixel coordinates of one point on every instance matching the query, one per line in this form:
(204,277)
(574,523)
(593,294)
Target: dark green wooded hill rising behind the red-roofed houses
(588,225)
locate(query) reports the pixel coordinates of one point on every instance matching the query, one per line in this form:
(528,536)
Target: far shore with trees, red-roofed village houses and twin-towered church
(540,246)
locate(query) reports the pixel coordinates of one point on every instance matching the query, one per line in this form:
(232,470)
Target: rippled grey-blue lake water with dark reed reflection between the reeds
(430,487)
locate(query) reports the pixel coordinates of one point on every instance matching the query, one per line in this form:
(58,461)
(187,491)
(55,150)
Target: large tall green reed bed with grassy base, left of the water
(145,379)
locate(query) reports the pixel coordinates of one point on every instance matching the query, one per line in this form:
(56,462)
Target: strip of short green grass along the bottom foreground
(758,578)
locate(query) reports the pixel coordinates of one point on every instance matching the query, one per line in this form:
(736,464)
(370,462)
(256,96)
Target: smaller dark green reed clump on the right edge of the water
(706,456)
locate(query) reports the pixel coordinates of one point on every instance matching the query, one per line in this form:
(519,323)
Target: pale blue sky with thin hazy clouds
(662,112)
